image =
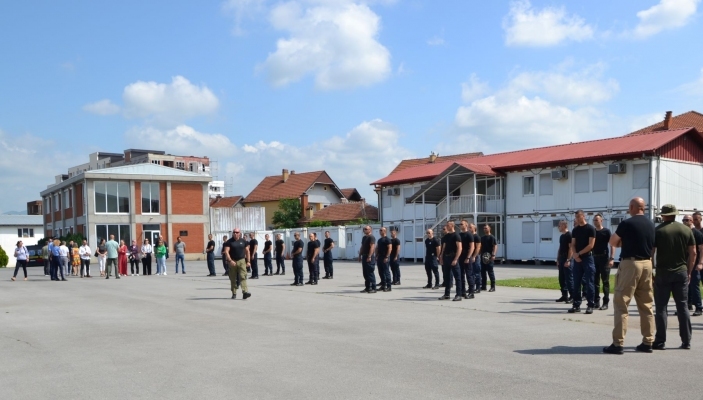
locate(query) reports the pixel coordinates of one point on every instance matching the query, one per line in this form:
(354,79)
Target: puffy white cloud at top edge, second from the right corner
(524,26)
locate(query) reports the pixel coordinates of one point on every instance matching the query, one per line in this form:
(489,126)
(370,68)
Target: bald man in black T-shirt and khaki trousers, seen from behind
(635,236)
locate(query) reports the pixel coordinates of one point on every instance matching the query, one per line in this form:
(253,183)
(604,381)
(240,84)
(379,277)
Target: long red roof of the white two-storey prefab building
(593,150)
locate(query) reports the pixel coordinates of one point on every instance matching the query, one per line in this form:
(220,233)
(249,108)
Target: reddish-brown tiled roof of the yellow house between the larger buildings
(272,188)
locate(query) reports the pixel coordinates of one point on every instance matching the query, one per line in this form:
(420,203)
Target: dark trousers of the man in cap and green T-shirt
(665,285)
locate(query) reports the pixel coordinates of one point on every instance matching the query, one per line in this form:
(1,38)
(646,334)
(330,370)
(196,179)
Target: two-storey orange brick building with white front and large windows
(132,202)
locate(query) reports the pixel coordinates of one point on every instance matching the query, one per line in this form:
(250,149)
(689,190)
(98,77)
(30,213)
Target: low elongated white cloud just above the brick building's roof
(182,140)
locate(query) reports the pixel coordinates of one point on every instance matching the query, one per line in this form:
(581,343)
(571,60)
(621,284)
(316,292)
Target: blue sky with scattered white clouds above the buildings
(348,86)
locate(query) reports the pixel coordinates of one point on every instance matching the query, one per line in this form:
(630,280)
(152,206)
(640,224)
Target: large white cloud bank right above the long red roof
(533,109)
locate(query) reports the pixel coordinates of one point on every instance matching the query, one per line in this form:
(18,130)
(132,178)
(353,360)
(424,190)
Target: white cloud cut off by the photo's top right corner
(668,14)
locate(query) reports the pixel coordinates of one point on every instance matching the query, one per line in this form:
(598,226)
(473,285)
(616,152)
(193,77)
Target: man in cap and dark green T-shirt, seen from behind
(675,253)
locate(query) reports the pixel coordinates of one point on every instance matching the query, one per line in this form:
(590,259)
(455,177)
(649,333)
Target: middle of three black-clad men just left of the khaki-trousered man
(583,238)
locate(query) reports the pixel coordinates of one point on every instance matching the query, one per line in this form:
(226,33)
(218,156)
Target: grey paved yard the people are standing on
(181,337)
